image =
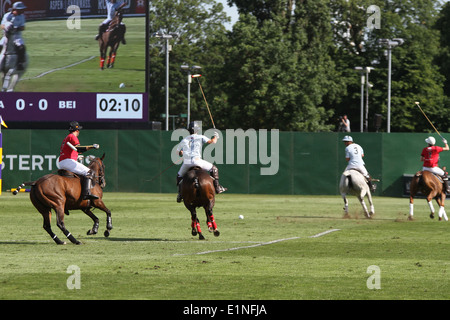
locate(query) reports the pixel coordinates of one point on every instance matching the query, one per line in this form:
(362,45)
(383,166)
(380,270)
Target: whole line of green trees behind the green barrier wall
(290,64)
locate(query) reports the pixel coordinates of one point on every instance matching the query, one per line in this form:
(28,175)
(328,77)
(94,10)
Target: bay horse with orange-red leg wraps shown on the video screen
(111,38)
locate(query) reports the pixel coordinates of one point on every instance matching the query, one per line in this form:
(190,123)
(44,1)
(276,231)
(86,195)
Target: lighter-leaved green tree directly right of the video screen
(198,23)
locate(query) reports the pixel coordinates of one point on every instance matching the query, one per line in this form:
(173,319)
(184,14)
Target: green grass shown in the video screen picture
(52,49)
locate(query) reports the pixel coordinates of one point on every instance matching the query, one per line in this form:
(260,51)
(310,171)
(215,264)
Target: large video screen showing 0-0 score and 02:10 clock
(62,78)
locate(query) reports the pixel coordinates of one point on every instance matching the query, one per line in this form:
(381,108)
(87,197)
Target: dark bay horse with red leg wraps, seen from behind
(197,190)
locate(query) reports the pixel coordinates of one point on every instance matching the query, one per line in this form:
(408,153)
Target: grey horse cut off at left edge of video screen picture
(9,75)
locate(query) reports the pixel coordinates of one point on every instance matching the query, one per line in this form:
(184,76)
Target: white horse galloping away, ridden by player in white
(353,182)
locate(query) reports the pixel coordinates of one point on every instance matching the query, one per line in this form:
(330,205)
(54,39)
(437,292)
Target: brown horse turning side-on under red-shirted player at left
(62,192)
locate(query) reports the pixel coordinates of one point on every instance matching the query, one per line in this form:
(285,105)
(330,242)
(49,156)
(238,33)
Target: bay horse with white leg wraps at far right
(432,187)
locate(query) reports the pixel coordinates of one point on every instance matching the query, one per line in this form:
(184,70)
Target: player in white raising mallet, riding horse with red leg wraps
(191,150)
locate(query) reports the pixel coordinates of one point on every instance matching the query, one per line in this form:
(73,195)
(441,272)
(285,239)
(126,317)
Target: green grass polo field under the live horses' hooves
(152,255)
